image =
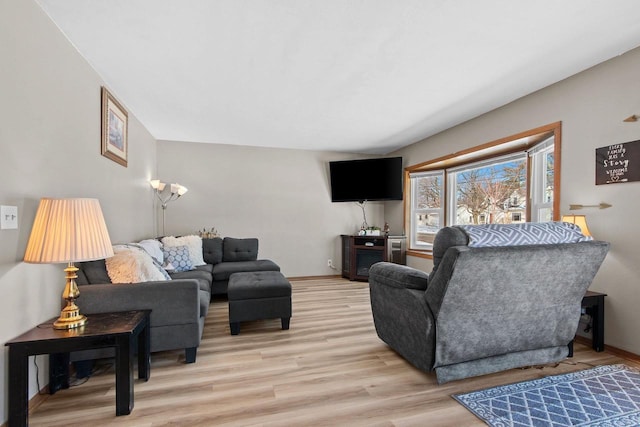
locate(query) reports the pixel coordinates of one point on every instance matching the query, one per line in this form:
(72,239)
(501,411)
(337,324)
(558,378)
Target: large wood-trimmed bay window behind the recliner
(506,181)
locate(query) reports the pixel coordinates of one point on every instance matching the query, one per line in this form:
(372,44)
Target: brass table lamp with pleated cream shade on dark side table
(68,231)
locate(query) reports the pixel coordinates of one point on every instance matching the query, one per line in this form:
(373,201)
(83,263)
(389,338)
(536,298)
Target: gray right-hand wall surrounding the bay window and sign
(591,106)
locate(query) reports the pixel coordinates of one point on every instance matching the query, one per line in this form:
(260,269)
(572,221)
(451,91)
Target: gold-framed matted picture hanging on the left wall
(114,129)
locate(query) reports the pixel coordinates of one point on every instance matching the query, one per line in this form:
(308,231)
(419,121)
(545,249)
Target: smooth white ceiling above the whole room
(360,76)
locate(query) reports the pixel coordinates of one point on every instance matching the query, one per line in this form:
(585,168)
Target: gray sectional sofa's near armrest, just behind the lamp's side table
(173,302)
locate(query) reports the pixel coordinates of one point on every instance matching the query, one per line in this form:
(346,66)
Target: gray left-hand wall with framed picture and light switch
(50,147)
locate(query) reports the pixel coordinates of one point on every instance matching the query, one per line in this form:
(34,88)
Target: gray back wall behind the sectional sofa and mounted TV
(280,196)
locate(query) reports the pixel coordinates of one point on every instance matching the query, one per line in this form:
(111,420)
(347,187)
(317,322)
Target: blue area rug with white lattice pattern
(603,396)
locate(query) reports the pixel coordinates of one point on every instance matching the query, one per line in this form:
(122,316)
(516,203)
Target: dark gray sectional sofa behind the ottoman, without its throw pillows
(179,306)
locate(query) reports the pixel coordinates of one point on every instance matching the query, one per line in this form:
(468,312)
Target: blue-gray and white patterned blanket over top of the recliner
(528,233)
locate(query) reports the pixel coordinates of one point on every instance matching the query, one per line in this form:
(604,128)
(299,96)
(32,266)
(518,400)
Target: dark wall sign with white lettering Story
(618,163)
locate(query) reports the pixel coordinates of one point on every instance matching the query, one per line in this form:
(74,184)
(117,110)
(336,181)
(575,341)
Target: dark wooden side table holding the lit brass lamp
(117,330)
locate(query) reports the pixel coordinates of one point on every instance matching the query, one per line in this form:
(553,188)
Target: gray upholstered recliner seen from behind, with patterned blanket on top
(498,297)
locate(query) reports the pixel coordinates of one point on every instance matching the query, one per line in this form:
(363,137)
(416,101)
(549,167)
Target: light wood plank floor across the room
(329,369)
